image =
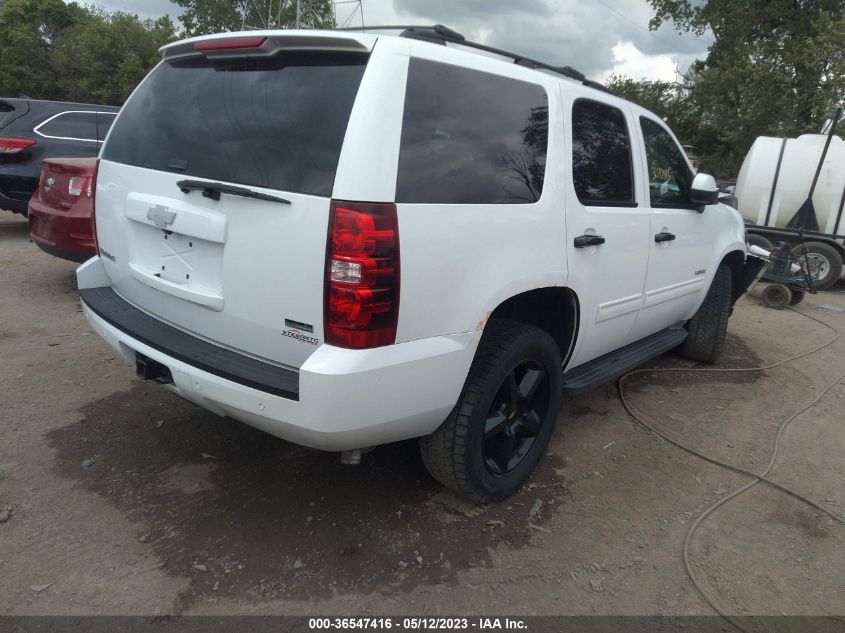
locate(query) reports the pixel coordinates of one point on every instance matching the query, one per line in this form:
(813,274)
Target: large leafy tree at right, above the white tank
(776,67)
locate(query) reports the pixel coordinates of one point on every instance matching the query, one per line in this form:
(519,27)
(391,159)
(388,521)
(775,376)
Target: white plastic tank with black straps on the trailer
(776,175)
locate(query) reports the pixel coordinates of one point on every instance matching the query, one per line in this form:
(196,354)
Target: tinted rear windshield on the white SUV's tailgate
(277,123)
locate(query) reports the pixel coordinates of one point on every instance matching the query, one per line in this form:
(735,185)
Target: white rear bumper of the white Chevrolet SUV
(346,398)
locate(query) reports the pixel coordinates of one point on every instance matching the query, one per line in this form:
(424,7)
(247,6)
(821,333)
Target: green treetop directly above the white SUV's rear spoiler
(201,17)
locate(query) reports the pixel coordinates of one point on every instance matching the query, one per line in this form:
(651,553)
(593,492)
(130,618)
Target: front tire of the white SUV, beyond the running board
(708,327)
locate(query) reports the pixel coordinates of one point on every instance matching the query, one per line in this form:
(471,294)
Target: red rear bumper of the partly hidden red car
(64,233)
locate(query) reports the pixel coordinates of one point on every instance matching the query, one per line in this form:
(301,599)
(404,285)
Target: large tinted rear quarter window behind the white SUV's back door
(470,137)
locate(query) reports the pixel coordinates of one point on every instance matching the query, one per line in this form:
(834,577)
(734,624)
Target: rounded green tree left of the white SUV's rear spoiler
(102,60)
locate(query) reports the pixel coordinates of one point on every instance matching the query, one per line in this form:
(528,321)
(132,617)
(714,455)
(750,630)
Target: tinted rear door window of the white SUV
(601,155)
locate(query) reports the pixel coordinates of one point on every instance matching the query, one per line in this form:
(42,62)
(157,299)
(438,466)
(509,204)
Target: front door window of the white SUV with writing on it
(669,176)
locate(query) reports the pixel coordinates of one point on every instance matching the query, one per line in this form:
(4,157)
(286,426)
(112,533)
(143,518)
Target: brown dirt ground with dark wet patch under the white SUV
(124,499)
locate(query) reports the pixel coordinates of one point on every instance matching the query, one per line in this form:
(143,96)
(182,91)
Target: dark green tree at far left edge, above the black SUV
(29,30)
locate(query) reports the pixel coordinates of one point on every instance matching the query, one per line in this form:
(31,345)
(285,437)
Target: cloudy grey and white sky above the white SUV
(598,37)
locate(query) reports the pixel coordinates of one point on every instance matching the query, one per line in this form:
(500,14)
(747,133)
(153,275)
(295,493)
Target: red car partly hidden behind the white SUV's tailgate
(60,210)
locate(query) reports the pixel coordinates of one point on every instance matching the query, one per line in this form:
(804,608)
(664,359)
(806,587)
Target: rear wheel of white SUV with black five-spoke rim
(459,454)
